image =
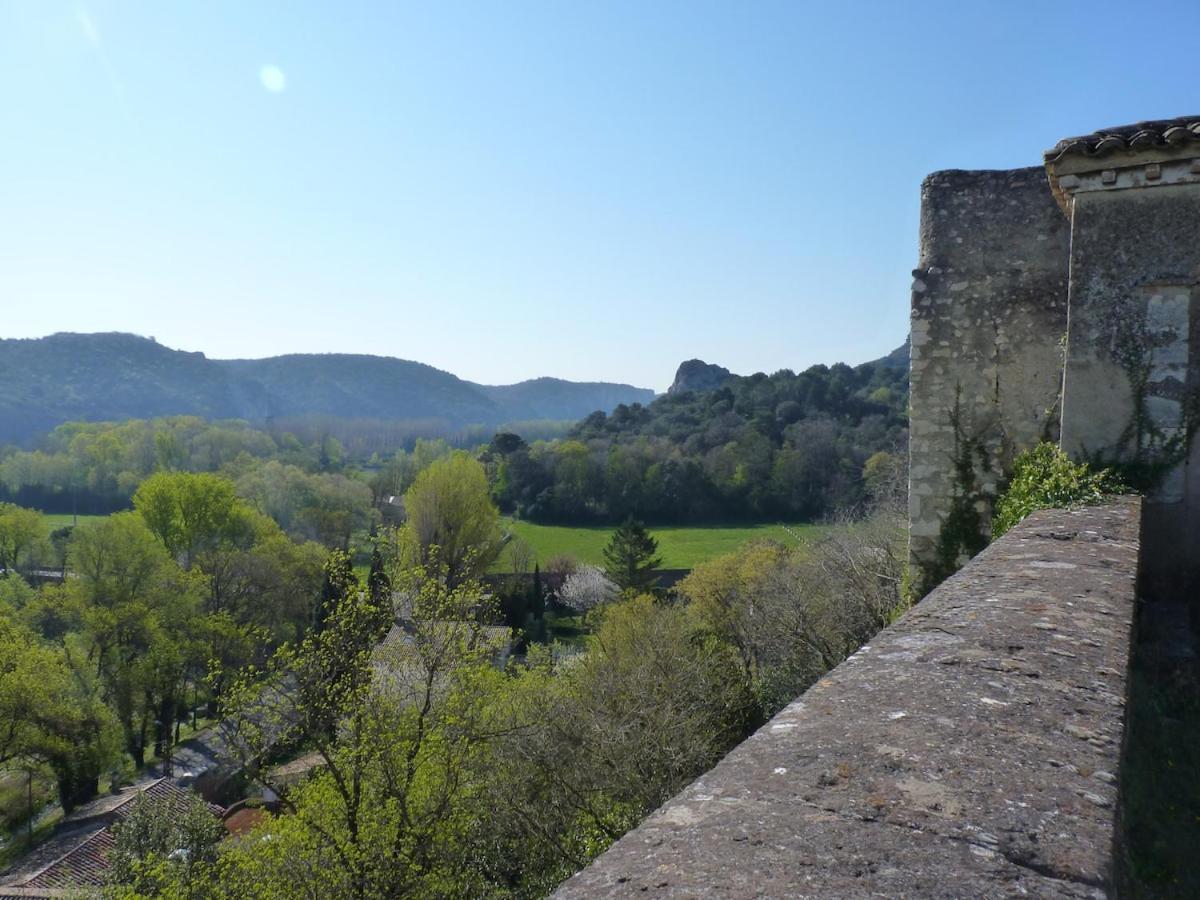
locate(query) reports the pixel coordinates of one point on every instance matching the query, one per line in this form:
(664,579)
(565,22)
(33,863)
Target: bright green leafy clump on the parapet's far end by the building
(1045,477)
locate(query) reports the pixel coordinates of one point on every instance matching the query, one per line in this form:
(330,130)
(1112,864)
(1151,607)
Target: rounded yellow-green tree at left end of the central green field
(452,519)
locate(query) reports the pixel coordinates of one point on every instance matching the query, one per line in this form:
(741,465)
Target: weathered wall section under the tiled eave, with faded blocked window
(1133,368)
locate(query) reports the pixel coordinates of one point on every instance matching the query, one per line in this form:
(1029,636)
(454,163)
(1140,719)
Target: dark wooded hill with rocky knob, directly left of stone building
(788,446)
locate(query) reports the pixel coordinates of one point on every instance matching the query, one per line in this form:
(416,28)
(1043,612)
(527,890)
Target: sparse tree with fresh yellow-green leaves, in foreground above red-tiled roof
(391,809)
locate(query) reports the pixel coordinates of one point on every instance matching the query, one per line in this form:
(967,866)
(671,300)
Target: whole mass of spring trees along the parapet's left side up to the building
(443,777)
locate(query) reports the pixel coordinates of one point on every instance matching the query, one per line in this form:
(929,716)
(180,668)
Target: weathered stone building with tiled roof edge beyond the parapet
(1059,303)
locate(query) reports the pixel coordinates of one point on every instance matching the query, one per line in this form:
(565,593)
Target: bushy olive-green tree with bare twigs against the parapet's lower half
(586,751)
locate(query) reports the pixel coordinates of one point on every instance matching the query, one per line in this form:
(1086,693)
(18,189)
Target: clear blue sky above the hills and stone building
(507,190)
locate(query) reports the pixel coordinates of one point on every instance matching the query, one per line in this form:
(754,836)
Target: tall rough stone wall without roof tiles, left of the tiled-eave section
(989,316)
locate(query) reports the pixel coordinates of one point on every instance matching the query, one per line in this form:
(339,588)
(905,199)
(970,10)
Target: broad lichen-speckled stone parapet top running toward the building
(971,751)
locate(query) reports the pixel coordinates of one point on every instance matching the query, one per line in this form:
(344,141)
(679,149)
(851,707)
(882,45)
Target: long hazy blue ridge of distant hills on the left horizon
(45,382)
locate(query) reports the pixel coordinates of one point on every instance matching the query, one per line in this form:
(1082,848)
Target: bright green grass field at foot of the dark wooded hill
(681,548)
